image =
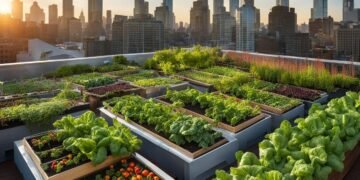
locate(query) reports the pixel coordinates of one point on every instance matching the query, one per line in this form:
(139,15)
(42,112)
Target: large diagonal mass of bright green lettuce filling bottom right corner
(313,149)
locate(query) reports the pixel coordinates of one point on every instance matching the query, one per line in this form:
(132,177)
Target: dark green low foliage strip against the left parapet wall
(65,71)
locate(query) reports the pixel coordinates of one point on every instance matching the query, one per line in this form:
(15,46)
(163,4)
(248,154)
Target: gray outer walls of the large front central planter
(174,162)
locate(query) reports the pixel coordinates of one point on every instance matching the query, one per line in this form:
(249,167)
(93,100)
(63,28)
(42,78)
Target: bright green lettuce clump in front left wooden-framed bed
(92,137)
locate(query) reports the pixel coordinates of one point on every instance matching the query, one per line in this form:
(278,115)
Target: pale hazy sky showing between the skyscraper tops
(182,7)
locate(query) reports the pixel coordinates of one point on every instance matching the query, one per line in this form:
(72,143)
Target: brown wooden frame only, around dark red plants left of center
(96,100)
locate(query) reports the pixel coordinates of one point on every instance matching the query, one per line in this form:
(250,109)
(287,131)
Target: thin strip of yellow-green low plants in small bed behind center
(156,82)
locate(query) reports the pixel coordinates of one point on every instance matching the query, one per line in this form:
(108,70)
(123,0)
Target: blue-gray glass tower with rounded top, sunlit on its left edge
(245,27)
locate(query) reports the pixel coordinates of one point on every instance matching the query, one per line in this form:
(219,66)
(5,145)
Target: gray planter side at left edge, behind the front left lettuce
(8,136)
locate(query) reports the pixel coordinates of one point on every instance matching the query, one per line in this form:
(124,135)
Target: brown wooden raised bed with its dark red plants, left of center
(95,96)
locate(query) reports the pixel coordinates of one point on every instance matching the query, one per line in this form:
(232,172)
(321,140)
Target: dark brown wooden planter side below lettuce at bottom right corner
(350,159)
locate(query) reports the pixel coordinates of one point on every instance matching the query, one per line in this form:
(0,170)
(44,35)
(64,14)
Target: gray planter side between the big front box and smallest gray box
(251,135)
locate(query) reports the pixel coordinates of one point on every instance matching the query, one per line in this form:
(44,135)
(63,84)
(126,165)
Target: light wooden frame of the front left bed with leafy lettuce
(74,173)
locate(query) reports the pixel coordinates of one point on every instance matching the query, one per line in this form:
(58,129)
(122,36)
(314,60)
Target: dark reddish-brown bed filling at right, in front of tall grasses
(297,92)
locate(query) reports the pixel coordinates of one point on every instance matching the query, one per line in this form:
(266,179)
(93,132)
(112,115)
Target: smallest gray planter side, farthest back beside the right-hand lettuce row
(290,115)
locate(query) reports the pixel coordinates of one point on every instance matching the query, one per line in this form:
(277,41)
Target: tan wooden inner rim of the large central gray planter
(187,153)
